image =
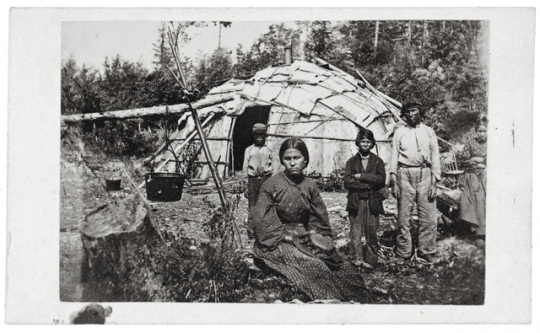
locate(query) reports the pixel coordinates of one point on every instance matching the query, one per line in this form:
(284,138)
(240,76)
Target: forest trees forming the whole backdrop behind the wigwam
(442,63)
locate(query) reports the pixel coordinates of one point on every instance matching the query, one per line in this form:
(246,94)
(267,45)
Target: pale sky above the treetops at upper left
(89,43)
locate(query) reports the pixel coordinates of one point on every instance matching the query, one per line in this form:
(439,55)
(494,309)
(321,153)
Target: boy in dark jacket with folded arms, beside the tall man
(364,177)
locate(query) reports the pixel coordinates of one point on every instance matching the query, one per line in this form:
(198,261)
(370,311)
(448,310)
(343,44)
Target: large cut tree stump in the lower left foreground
(114,239)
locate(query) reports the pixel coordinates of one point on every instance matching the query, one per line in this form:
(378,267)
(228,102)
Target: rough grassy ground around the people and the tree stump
(457,279)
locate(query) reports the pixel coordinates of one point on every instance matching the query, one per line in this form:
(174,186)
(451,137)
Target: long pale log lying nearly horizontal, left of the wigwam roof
(145,112)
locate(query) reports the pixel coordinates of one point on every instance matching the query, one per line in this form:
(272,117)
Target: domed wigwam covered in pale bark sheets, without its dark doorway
(319,103)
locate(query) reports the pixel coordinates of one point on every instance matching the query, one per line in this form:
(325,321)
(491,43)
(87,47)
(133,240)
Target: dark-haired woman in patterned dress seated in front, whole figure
(293,234)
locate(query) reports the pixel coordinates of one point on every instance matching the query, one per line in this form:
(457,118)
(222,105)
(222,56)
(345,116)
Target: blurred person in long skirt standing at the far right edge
(472,204)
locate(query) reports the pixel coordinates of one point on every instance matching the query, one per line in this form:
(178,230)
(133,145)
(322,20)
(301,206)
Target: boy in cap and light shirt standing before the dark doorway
(257,169)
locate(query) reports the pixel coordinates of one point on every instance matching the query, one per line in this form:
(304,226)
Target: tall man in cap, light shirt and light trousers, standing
(415,170)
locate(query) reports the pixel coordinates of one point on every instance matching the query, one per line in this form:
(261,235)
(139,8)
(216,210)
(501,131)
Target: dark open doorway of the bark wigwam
(242,134)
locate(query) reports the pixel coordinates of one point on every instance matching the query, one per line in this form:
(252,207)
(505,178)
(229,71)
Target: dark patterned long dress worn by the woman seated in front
(288,208)
